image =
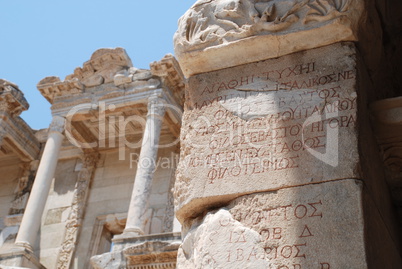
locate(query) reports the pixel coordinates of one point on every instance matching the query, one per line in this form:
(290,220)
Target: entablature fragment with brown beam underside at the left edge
(16,137)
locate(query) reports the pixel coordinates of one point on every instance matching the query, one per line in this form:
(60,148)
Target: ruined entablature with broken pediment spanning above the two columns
(96,97)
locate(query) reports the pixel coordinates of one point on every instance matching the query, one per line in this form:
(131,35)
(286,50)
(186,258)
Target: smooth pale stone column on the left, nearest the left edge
(36,203)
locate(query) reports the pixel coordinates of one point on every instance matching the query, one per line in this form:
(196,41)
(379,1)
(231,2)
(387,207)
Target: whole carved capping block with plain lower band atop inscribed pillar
(217,34)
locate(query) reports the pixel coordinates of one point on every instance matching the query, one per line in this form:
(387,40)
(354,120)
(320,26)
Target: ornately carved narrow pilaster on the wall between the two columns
(75,217)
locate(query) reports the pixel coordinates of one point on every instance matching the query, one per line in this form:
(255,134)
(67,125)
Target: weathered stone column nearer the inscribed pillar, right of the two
(137,212)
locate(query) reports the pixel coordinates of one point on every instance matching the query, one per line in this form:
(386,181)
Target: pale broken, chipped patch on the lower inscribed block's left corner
(219,241)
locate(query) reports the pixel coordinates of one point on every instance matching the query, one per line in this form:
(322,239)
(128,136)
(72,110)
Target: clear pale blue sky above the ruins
(52,38)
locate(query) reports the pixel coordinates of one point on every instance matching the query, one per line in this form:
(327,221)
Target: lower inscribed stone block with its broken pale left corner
(301,227)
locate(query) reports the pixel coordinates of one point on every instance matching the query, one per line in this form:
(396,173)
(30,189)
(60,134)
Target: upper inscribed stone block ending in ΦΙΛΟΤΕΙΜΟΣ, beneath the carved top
(268,125)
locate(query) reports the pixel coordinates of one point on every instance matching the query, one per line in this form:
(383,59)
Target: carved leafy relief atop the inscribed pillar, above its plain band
(210,23)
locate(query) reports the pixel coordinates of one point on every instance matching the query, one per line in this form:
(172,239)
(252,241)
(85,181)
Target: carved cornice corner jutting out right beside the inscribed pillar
(169,70)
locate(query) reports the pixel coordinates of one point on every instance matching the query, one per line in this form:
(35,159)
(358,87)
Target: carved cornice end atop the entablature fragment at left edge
(12,99)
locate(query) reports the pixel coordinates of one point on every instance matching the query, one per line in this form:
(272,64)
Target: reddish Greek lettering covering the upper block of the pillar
(269,119)
